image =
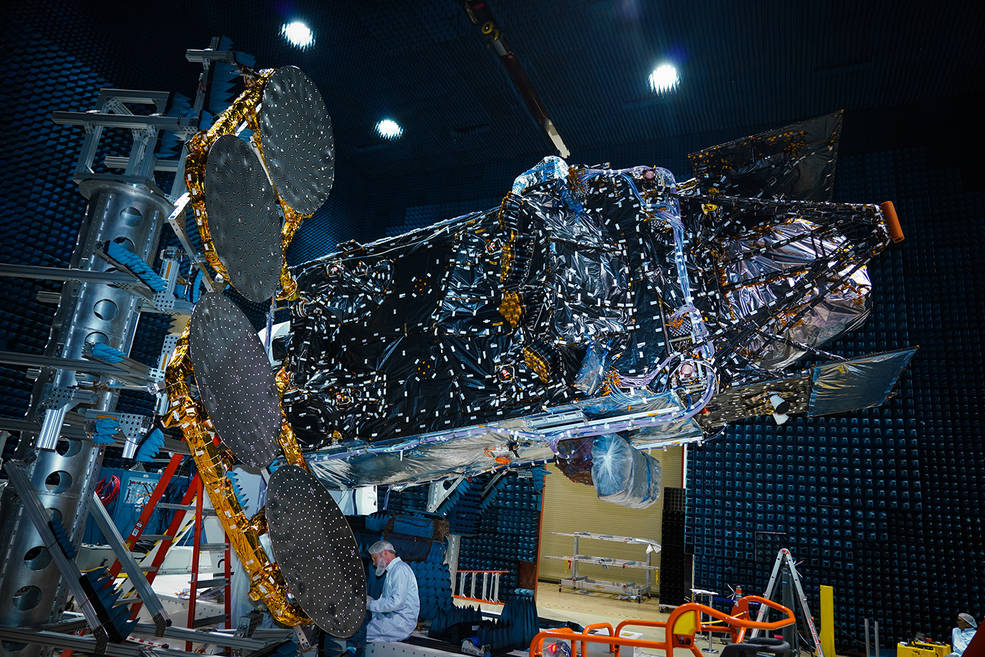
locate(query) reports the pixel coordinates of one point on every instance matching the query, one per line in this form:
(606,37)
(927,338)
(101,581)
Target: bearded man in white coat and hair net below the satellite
(395,611)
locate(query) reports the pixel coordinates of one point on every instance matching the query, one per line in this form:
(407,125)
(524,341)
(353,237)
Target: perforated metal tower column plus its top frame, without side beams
(127,207)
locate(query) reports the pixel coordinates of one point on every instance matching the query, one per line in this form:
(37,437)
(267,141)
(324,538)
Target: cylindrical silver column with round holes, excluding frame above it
(63,472)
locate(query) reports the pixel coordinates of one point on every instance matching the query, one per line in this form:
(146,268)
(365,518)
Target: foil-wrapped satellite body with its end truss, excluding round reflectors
(589,291)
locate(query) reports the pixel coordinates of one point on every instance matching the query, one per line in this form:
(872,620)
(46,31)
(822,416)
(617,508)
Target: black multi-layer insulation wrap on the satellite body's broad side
(489,315)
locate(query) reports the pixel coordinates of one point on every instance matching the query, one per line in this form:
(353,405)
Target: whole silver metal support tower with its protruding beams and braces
(97,305)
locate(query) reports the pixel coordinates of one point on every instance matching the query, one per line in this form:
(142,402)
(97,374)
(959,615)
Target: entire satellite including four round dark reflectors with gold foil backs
(593,303)
